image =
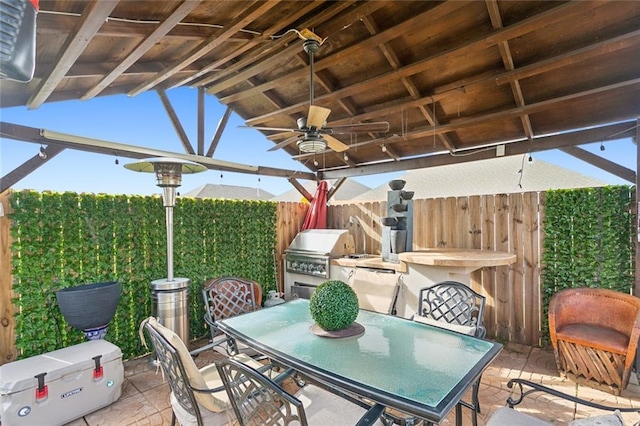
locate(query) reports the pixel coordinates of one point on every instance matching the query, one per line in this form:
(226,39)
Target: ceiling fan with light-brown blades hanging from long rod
(311,134)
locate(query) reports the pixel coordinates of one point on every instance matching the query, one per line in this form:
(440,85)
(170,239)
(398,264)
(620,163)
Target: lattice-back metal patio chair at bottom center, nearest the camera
(258,400)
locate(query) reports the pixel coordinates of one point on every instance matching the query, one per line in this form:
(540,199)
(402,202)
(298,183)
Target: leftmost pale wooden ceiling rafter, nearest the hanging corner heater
(93,18)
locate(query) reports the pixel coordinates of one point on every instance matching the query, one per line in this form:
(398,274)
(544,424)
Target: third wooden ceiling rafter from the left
(208,45)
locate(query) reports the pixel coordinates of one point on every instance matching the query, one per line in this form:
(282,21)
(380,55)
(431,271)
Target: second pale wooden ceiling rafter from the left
(143,47)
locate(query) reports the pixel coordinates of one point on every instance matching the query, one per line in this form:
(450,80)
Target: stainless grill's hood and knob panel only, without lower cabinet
(312,249)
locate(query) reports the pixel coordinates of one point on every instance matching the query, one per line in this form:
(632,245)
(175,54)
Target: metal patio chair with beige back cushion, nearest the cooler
(197,395)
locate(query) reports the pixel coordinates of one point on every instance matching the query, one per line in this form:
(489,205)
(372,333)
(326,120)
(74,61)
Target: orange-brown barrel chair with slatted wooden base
(594,333)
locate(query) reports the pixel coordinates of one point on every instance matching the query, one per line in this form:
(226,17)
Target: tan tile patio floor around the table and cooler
(145,398)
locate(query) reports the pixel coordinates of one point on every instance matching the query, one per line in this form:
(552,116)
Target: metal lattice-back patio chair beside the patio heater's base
(226,297)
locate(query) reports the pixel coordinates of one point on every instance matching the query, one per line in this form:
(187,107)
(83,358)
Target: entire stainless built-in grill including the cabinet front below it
(307,260)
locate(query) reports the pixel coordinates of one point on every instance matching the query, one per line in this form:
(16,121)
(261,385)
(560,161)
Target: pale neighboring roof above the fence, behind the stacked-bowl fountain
(494,176)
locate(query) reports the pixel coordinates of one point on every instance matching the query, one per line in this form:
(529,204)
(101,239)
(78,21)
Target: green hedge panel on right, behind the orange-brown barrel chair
(589,242)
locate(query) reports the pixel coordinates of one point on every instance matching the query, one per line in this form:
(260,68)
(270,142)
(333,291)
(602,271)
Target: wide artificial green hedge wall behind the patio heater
(67,239)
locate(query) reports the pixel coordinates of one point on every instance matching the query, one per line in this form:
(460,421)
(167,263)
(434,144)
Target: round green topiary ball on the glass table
(334,305)
